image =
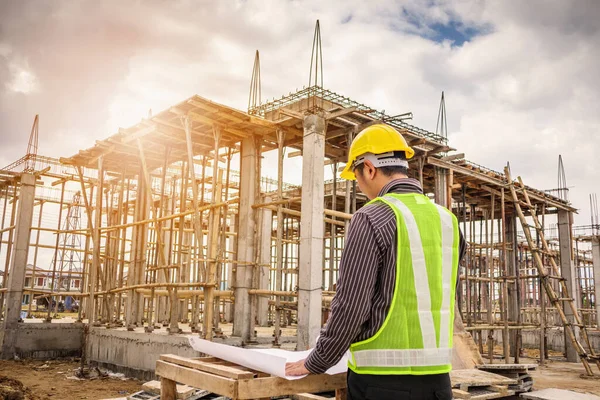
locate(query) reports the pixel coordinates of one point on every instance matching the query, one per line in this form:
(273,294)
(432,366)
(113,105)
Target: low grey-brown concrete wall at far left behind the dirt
(43,341)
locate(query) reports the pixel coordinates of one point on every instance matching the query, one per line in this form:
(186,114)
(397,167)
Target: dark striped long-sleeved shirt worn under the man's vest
(365,286)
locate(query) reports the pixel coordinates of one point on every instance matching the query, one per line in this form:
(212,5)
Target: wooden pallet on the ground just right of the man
(479,385)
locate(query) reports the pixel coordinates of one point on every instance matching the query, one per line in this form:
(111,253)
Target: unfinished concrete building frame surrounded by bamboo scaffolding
(171,227)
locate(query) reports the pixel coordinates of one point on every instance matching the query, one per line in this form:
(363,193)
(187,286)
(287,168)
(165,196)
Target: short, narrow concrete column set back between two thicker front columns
(262,311)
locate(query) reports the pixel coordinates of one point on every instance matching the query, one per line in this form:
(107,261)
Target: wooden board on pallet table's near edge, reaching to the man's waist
(271,387)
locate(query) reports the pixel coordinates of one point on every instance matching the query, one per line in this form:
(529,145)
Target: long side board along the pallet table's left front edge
(198,379)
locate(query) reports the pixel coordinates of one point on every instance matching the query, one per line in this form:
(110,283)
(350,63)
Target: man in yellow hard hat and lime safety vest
(394,305)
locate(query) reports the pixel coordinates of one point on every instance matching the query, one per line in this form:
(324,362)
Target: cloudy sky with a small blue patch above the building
(521,78)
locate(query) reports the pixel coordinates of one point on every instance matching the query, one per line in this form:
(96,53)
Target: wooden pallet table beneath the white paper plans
(235,381)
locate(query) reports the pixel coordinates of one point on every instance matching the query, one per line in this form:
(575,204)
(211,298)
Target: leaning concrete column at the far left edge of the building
(18,264)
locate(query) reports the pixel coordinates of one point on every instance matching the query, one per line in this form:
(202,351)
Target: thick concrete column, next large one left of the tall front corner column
(246,240)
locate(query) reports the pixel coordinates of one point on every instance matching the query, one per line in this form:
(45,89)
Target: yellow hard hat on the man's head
(375,139)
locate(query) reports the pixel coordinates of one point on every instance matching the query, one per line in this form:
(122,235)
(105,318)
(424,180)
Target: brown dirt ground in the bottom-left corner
(44,380)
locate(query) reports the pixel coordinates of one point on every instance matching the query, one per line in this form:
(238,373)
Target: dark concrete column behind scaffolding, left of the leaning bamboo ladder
(513,297)
